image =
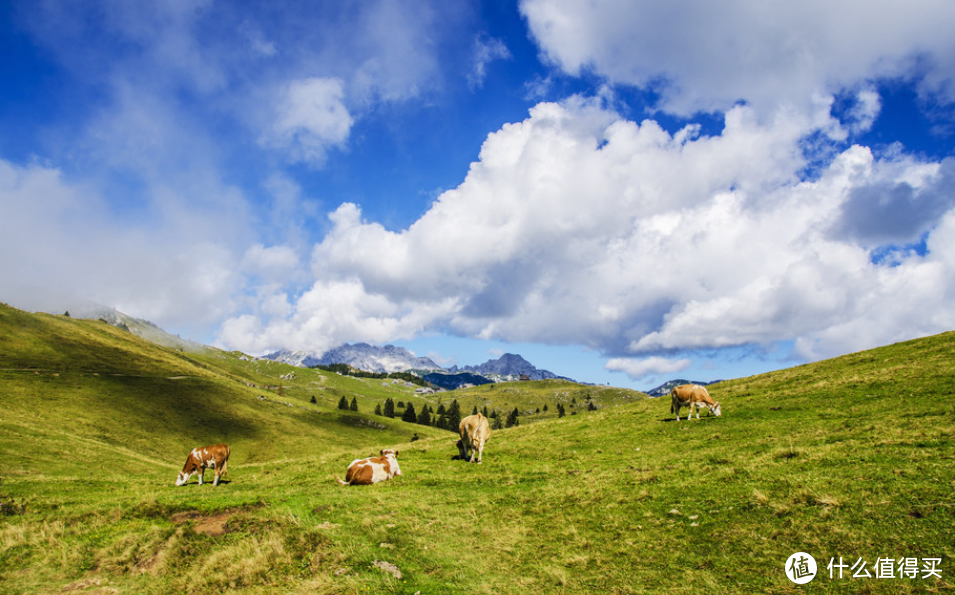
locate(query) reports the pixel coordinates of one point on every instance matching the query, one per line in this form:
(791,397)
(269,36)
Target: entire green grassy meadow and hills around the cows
(851,458)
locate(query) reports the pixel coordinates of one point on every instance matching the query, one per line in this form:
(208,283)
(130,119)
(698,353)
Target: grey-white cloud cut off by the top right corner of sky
(707,56)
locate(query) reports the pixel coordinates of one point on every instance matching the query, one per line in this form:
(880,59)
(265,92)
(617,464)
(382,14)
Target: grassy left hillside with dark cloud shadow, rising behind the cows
(100,395)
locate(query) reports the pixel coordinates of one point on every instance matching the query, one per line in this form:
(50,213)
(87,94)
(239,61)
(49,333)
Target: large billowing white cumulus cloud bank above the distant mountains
(577,226)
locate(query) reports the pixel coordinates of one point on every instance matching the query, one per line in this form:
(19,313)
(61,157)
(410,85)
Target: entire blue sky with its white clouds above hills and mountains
(623,192)
